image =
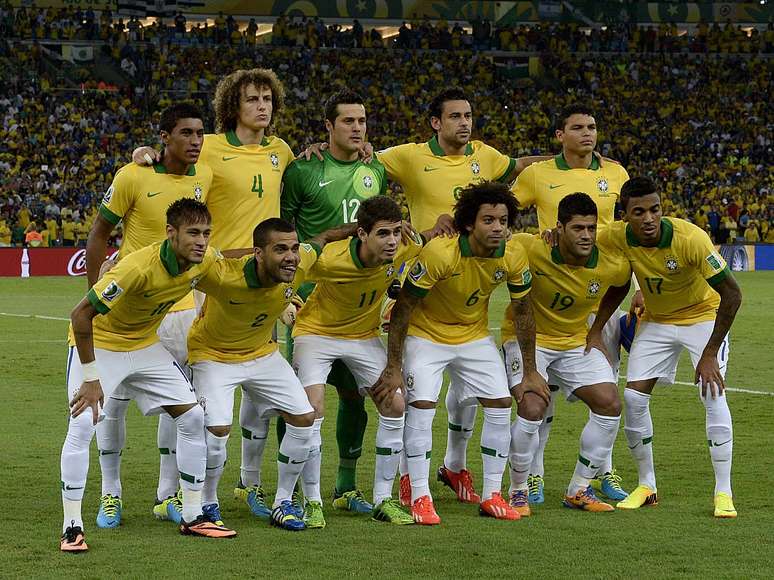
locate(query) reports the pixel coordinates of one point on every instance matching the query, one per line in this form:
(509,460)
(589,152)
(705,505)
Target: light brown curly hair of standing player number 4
(229,91)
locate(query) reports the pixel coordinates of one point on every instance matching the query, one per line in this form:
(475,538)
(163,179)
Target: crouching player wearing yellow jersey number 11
(340,322)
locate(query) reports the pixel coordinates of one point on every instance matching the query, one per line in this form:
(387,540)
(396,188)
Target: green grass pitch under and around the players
(679,538)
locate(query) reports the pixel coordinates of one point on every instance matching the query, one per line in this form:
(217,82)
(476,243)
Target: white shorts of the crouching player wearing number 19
(567,369)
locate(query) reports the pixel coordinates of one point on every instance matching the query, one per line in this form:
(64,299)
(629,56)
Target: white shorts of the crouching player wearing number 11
(314,355)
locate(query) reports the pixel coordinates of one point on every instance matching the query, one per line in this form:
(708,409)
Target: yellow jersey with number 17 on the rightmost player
(676,276)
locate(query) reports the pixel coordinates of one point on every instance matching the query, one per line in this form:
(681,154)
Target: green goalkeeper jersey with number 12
(319,195)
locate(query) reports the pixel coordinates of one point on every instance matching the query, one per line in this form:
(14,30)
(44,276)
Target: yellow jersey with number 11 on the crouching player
(347,300)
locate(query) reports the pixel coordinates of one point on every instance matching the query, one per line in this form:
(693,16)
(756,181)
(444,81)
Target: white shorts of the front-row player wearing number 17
(657,347)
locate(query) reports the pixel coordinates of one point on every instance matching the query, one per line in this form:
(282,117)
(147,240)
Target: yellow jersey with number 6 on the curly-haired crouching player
(456,286)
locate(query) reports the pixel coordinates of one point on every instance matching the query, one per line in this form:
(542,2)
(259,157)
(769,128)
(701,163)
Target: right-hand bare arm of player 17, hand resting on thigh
(707,369)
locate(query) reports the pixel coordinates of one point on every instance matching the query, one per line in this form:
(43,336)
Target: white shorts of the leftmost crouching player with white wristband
(150,376)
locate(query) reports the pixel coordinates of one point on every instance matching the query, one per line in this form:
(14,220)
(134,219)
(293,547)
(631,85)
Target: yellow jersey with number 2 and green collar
(236,321)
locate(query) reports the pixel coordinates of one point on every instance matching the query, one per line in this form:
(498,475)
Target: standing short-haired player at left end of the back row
(138,197)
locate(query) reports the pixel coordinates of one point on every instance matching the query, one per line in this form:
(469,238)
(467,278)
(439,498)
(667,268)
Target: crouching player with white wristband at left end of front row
(118,351)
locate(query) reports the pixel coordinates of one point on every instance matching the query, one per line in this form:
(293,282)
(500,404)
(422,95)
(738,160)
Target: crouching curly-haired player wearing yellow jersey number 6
(443,308)
